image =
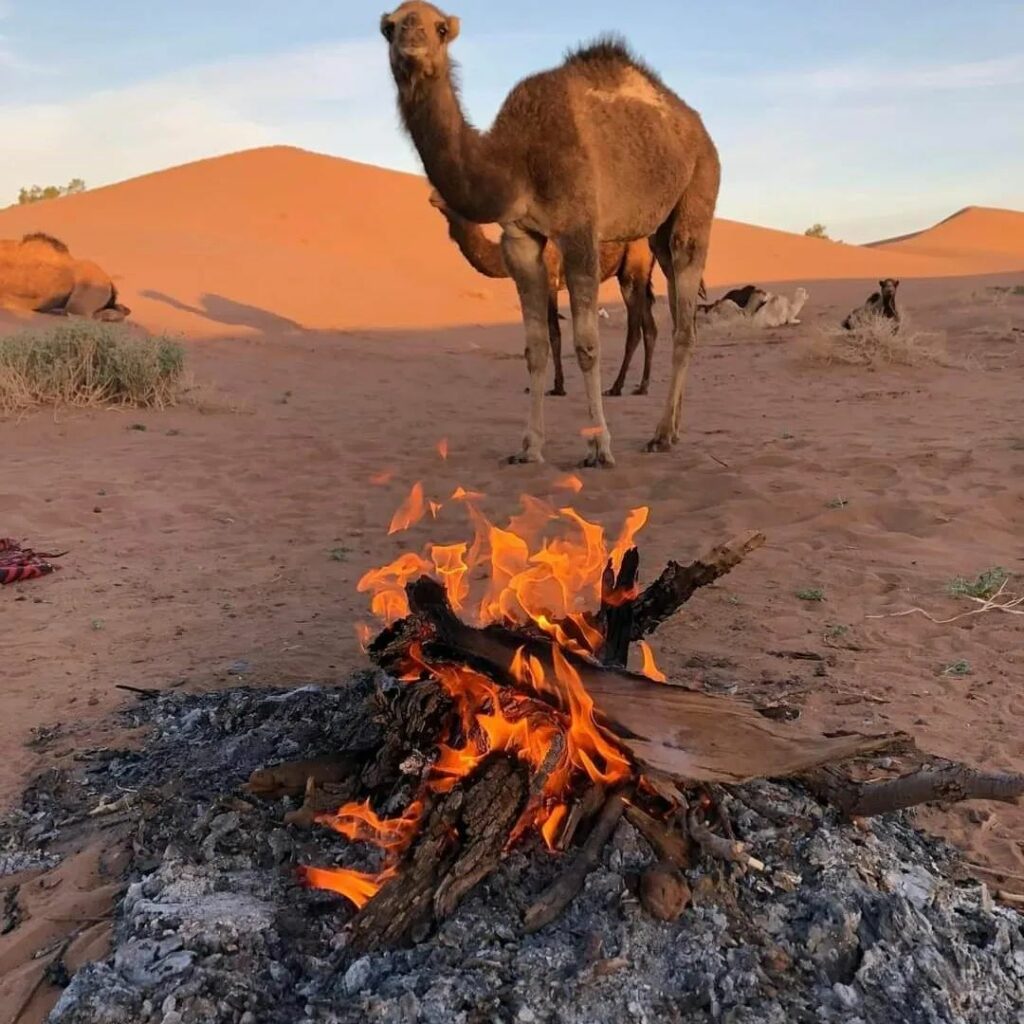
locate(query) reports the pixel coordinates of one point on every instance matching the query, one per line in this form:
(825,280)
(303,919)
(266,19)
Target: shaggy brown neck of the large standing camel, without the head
(457,158)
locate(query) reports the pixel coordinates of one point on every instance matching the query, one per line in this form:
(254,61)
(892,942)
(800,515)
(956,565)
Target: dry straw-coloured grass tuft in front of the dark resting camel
(875,344)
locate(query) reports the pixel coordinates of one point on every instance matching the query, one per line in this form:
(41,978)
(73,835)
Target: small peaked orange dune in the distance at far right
(976,233)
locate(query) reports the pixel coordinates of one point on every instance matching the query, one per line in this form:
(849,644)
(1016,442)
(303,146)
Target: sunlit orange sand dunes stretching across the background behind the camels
(281,239)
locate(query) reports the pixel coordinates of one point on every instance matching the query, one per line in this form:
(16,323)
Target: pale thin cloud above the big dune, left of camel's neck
(112,135)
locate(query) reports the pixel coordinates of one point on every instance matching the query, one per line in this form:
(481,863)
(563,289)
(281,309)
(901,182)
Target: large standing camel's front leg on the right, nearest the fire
(580,255)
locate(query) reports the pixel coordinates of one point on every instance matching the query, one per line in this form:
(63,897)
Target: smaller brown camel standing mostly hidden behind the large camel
(632,264)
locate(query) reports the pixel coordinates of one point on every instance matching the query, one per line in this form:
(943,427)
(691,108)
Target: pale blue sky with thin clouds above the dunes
(872,118)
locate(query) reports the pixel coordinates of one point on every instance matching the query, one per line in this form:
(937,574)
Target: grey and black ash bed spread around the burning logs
(844,926)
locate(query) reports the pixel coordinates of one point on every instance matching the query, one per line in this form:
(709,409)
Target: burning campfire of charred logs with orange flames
(519,717)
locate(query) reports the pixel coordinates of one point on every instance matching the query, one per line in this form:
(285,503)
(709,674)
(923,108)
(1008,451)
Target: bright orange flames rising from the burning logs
(544,569)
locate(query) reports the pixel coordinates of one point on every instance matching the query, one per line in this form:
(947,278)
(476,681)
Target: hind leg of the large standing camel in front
(681,247)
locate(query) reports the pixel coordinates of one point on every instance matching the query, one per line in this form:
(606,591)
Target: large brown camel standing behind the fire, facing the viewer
(596,149)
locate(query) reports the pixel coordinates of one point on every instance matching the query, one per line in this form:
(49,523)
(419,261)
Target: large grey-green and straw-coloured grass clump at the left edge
(89,363)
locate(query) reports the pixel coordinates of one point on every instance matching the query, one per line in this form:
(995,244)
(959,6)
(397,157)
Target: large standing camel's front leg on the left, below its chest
(524,257)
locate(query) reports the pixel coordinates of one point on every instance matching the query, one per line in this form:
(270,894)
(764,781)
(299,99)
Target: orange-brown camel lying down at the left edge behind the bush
(39,274)
